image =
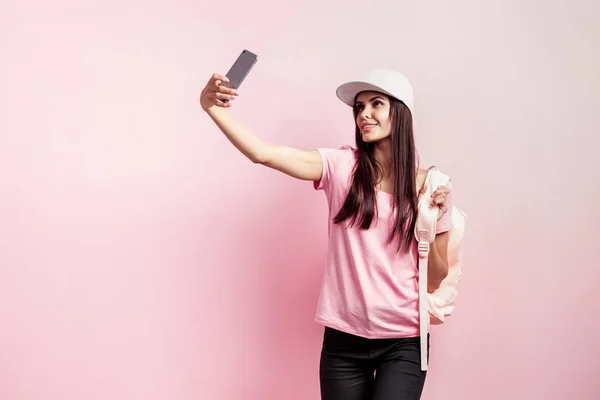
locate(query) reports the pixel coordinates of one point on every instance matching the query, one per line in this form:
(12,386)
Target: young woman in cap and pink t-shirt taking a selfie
(369,296)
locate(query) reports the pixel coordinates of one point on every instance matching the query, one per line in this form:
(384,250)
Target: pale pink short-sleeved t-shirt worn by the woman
(369,289)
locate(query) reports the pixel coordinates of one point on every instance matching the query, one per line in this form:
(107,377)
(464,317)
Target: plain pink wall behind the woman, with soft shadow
(142,257)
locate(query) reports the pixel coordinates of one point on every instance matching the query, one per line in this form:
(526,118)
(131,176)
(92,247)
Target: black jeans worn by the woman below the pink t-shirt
(356,368)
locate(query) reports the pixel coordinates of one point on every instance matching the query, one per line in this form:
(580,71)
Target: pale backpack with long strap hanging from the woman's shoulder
(435,307)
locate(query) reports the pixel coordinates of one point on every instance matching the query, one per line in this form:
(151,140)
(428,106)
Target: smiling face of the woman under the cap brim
(373,116)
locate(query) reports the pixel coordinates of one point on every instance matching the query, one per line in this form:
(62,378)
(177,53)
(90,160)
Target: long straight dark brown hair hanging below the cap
(360,202)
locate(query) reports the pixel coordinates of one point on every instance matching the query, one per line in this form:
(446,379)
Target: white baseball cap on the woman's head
(388,81)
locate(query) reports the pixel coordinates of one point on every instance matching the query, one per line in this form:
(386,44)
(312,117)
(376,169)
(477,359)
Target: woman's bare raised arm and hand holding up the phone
(301,164)
